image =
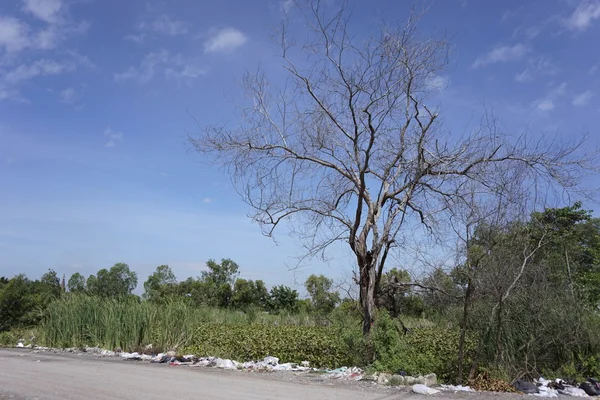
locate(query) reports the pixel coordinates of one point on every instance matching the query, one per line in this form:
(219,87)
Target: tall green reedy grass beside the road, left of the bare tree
(79,320)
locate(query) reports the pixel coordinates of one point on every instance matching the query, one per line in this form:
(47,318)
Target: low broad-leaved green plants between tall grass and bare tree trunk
(319,345)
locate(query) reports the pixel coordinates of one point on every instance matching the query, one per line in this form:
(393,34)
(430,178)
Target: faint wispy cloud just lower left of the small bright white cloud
(175,67)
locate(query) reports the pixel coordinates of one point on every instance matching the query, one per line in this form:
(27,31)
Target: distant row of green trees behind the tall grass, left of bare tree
(23,301)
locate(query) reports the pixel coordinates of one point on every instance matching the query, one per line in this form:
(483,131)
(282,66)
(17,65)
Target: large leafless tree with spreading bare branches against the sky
(349,151)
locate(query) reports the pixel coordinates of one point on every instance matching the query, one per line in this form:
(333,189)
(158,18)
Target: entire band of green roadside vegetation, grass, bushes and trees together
(523,302)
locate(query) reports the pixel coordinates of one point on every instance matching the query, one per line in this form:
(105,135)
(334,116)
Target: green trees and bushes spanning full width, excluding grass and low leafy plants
(523,298)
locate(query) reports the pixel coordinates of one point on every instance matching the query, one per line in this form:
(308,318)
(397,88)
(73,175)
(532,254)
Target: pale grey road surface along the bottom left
(27,375)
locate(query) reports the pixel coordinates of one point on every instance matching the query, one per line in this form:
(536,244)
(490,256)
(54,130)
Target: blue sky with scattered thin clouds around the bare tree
(94,103)
